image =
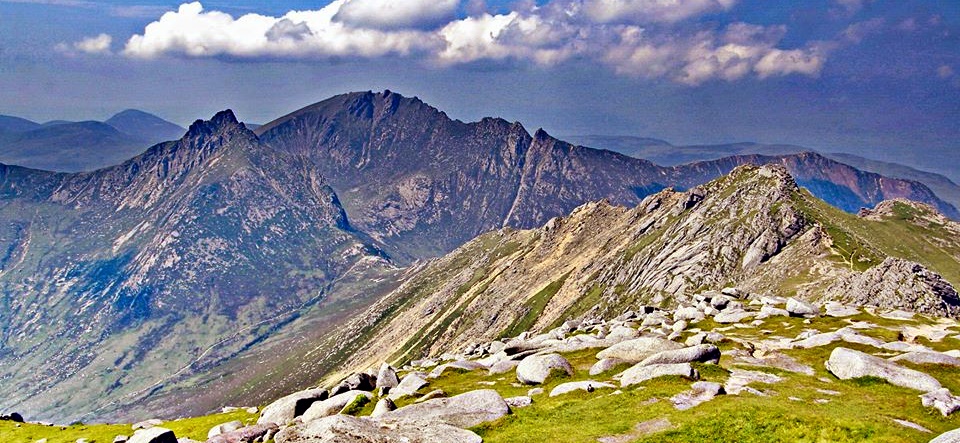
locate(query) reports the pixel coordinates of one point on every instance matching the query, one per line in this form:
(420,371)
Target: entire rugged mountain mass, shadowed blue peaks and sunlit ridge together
(224,257)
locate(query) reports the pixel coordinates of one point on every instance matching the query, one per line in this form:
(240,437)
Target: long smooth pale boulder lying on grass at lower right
(847,364)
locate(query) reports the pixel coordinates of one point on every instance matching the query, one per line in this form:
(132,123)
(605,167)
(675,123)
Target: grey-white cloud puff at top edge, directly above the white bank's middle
(394,14)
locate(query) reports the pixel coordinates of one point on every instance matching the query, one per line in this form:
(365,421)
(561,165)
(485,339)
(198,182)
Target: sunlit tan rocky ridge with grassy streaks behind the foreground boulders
(754,229)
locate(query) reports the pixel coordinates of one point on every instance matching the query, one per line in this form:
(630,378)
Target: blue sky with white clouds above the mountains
(879,78)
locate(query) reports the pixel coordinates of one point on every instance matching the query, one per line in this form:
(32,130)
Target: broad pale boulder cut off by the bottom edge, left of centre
(347,429)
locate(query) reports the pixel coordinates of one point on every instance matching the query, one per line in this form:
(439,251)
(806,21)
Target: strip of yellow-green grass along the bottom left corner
(194,428)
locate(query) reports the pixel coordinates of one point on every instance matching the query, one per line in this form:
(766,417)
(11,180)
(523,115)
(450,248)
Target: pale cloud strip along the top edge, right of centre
(647,11)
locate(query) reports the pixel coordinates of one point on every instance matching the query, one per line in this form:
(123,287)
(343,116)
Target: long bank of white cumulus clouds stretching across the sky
(640,38)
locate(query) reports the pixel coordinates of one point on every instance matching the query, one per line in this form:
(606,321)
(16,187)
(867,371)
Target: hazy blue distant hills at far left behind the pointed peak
(65,146)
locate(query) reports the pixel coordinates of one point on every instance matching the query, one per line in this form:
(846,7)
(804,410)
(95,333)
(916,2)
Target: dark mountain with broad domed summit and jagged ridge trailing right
(413,178)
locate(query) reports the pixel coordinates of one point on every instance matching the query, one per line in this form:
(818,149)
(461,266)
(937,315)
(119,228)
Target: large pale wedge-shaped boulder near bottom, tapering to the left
(465,410)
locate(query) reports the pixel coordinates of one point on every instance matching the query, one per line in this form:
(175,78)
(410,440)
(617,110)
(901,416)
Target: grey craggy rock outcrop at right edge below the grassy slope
(899,284)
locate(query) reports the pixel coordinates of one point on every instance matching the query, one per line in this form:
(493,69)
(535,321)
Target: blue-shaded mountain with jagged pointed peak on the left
(139,275)
